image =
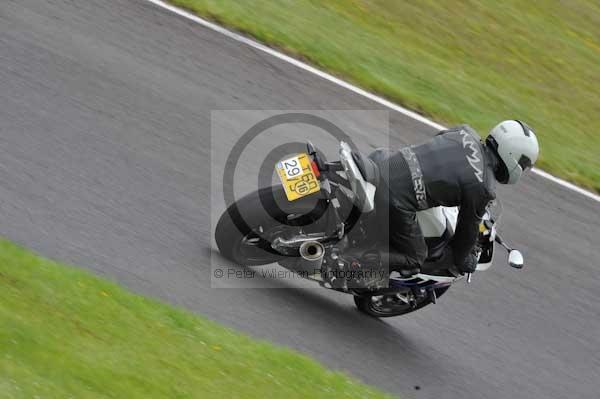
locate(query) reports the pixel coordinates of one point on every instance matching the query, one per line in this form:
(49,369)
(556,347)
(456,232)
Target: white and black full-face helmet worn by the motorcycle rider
(517,149)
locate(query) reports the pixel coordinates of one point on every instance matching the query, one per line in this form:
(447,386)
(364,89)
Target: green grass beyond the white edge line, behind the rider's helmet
(459,61)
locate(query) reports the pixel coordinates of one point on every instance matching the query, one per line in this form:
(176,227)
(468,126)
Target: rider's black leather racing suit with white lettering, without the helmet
(452,169)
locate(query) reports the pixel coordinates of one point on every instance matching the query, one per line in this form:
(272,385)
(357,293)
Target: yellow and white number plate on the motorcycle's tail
(297,177)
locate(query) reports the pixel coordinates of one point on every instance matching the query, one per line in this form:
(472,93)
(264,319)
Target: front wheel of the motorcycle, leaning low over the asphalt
(390,305)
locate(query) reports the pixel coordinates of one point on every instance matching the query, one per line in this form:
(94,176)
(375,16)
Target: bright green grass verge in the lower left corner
(67,334)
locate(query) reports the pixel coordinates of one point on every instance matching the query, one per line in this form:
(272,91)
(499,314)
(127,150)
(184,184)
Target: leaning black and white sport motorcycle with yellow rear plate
(323,211)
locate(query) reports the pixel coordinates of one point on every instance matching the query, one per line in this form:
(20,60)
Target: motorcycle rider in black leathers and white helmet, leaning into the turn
(455,168)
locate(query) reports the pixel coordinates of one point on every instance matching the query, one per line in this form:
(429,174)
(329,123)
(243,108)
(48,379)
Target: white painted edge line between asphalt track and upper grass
(252,43)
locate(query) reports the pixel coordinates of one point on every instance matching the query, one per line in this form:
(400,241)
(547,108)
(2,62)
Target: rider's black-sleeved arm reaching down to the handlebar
(472,208)
